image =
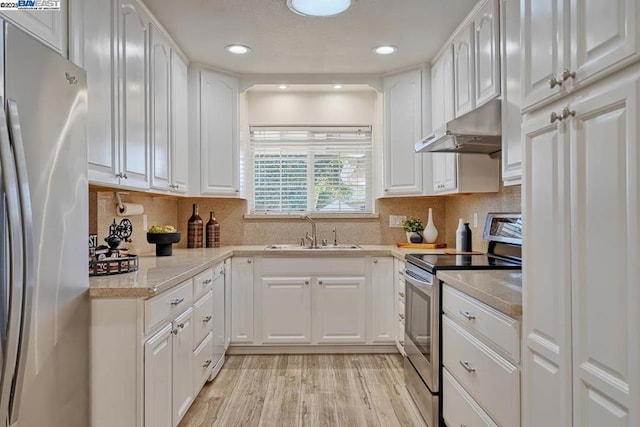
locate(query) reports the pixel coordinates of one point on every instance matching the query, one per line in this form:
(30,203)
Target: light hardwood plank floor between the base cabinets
(306,390)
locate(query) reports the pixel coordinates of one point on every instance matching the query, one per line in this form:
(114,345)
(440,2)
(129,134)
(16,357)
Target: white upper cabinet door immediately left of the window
(219,151)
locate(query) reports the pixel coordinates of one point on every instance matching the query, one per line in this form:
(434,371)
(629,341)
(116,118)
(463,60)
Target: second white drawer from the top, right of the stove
(488,377)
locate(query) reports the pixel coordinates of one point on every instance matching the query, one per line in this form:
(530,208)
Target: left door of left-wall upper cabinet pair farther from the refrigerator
(160,117)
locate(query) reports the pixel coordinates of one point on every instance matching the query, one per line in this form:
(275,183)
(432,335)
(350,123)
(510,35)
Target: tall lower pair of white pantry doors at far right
(580,188)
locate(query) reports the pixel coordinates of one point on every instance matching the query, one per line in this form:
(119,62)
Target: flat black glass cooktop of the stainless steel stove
(432,263)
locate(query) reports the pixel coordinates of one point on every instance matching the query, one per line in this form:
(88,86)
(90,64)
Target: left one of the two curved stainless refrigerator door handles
(16,261)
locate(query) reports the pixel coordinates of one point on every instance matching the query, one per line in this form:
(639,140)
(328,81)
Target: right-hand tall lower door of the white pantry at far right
(605,197)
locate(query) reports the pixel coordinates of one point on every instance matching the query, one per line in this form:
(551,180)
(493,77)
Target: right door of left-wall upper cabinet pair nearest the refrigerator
(132,44)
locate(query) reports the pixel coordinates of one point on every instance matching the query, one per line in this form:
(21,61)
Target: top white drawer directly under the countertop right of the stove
(497,327)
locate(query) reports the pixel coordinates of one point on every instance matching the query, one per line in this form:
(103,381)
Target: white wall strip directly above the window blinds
(312,108)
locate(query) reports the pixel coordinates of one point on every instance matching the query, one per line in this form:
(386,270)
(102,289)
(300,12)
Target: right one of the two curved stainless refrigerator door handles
(29,257)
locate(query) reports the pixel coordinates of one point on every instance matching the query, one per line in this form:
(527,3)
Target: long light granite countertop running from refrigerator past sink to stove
(158,274)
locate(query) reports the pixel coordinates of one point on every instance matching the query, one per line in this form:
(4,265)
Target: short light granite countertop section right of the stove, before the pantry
(500,289)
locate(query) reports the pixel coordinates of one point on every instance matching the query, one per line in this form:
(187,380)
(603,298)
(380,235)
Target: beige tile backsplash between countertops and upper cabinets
(236,229)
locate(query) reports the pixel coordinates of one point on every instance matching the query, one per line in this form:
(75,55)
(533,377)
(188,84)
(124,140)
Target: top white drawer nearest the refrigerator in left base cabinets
(167,304)
